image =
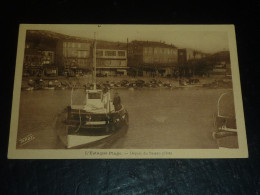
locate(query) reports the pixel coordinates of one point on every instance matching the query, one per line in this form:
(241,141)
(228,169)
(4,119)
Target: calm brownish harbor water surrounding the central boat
(180,118)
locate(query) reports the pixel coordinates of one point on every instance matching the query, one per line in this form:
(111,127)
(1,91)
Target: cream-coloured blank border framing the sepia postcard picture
(241,152)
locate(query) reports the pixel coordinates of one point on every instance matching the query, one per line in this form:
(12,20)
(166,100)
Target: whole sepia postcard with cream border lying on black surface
(127,91)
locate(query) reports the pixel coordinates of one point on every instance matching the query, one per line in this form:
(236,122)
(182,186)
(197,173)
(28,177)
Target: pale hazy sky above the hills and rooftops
(205,40)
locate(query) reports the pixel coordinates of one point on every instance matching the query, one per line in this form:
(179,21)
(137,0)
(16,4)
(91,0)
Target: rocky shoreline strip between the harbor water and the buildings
(56,83)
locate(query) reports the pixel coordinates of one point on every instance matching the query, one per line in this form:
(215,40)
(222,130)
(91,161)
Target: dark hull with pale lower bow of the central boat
(85,133)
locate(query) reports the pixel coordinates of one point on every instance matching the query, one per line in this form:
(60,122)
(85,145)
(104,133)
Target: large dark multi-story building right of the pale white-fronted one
(152,58)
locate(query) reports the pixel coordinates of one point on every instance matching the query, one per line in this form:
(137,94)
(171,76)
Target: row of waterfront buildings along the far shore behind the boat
(51,53)
